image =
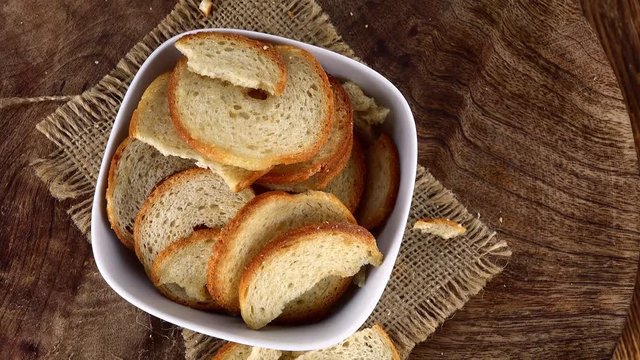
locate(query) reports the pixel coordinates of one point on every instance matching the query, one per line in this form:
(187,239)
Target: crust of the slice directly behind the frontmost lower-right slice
(218,284)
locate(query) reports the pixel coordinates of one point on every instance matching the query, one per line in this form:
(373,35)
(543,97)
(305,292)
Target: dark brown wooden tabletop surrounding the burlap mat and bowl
(519,113)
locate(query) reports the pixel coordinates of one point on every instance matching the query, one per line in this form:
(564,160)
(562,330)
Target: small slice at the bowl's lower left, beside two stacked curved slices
(180,271)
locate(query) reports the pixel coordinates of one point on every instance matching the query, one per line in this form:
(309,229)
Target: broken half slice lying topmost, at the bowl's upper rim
(235,58)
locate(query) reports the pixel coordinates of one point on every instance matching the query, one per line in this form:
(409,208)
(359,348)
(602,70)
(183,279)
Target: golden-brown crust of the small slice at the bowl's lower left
(196,236)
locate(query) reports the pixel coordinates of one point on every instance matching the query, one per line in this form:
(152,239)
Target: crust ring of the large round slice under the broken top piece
(223,156)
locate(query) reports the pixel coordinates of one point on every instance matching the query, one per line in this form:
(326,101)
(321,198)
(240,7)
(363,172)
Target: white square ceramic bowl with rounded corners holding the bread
(122,271)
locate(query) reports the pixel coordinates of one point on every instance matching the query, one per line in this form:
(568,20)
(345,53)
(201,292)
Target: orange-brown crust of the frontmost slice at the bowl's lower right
(295,236)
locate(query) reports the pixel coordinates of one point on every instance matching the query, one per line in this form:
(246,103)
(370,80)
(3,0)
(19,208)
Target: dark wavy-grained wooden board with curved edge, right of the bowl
(520,115)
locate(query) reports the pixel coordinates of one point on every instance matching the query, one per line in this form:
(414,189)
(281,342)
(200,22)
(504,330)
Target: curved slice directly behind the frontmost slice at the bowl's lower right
(264,218)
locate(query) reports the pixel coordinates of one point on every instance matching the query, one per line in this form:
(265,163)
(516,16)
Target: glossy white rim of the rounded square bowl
(406,189)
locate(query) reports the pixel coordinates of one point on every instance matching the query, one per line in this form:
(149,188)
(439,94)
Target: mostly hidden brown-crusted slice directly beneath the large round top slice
(336,146)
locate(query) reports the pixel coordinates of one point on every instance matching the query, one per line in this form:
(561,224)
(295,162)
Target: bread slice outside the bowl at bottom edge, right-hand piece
(367,344)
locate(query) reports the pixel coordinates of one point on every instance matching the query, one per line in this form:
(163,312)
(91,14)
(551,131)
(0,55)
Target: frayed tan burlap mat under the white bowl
(446,273)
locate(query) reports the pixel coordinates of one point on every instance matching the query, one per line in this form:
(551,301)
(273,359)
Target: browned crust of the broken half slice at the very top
(266,48)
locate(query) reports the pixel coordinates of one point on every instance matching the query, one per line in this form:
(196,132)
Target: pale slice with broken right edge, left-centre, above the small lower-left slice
(186,200)
